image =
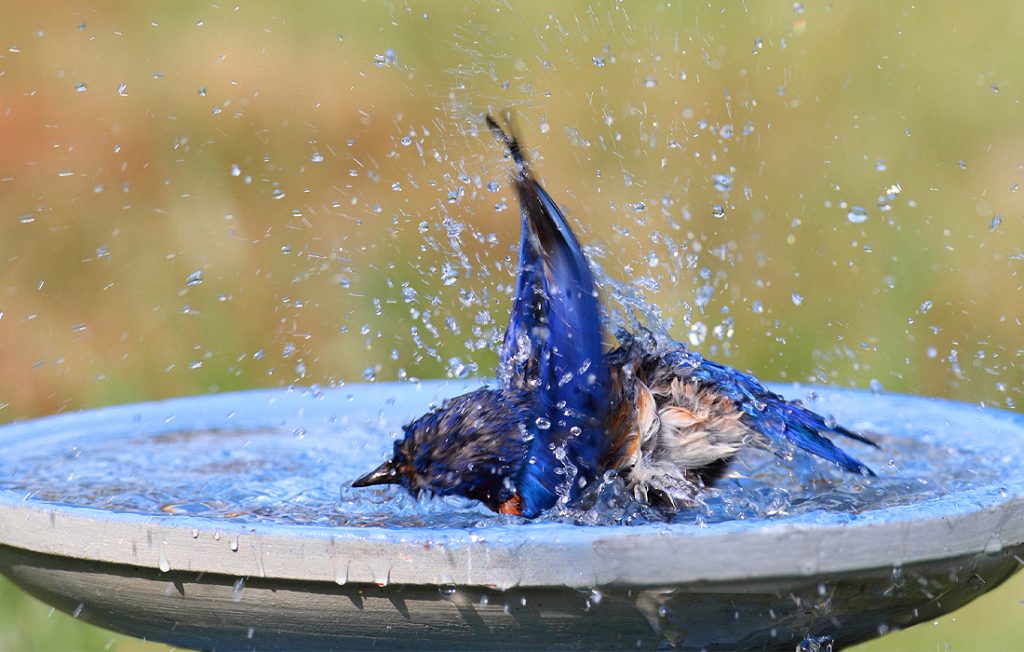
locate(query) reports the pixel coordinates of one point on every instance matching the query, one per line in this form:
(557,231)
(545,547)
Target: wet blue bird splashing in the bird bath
(565,413)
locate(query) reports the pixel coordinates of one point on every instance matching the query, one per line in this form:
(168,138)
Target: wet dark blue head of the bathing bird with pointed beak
(474,446)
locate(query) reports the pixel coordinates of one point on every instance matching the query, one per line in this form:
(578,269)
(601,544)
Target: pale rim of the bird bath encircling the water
(530,554)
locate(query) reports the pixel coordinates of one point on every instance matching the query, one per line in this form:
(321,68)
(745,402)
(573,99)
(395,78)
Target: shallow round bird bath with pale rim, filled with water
(227,523)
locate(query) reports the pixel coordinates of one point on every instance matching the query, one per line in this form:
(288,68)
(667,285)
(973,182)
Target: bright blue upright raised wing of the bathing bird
(554,342)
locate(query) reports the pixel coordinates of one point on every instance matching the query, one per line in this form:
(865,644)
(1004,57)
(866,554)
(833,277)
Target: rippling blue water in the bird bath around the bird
(231,466)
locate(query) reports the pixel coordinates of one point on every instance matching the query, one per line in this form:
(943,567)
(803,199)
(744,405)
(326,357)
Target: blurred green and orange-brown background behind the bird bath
(202,198)
